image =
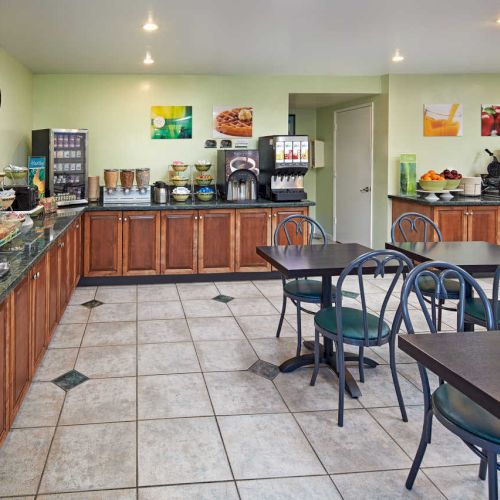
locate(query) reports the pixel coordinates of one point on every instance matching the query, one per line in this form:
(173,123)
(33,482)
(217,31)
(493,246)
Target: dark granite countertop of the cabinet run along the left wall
(24,251)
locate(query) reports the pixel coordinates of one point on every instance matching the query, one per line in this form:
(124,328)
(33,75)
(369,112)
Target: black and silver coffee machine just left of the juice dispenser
(238,174)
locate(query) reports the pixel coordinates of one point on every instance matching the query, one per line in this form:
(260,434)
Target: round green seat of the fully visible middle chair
(352,323)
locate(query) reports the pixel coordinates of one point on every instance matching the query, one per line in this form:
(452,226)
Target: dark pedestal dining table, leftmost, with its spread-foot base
(325,261)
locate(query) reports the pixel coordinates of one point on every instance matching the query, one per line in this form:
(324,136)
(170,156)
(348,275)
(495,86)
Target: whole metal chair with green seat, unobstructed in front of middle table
(358,327)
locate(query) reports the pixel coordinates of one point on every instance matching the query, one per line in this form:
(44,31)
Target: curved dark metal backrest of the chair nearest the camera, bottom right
(438,272)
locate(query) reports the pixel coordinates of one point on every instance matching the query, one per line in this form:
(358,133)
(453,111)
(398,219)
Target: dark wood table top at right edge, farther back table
(473,256)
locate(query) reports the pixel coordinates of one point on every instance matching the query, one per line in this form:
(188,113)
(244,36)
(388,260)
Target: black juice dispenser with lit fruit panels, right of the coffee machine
(284,160)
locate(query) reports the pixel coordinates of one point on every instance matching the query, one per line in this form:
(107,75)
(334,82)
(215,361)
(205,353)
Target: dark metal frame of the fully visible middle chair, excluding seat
(381,259)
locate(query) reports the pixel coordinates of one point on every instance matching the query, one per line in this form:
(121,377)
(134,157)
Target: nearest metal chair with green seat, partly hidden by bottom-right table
(478,428)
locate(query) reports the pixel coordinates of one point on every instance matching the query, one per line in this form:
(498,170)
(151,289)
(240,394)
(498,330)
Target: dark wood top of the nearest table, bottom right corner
(469,361)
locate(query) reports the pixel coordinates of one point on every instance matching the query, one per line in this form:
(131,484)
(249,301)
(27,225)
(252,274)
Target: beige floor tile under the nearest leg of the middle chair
(363,445)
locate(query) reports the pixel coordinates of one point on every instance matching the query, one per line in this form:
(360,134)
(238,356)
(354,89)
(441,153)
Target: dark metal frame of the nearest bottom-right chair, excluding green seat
(484,449)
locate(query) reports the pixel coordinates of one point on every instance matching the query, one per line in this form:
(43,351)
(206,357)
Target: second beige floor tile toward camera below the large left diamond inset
(86,457)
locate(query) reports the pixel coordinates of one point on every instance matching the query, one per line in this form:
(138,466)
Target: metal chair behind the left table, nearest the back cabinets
(303,289)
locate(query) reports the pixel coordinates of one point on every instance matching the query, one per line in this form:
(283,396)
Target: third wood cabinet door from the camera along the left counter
(39,311)
